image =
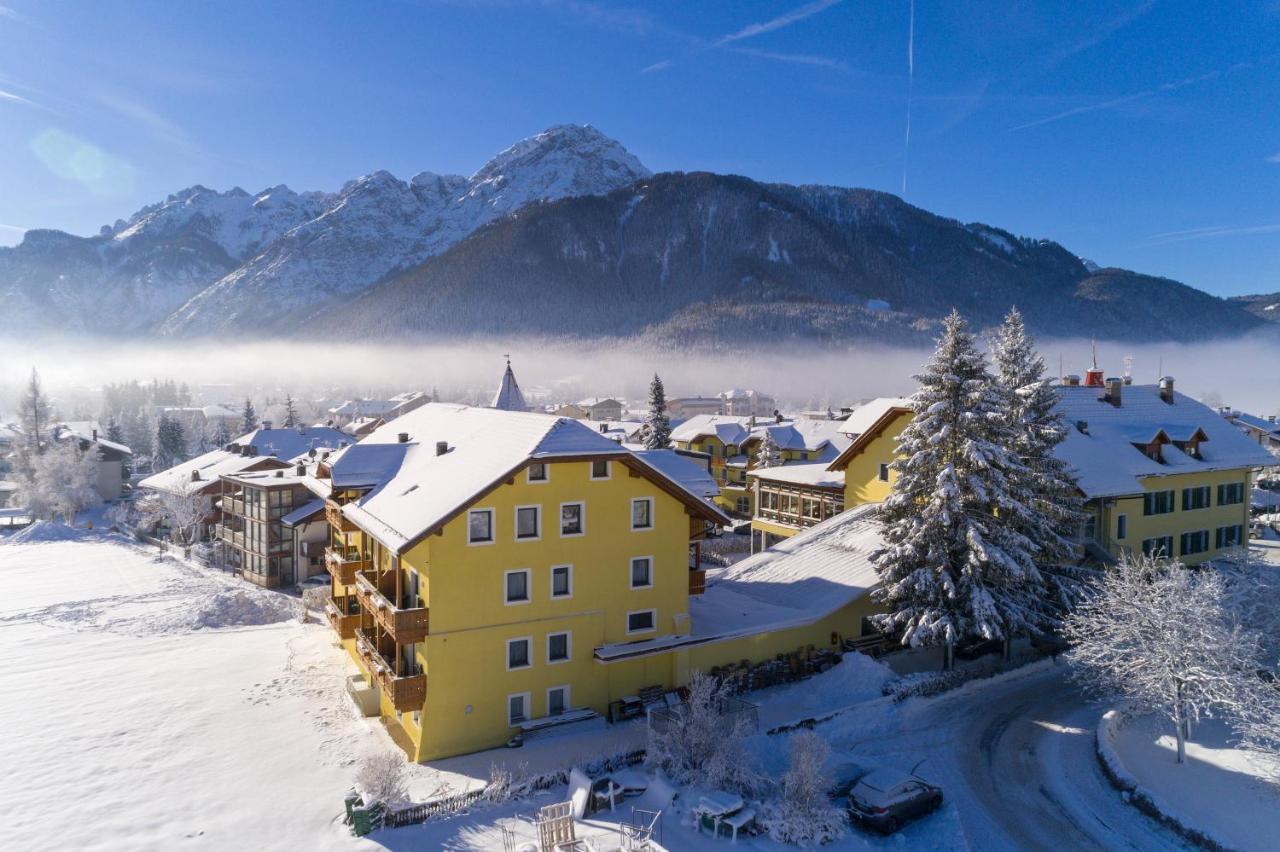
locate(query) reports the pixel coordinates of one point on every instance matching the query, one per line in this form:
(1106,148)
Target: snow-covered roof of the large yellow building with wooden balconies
(423,489)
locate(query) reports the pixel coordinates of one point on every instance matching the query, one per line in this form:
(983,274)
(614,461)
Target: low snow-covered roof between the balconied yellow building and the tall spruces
(796,583)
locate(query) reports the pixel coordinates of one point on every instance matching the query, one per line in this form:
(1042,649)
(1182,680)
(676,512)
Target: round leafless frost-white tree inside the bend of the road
(1162,636)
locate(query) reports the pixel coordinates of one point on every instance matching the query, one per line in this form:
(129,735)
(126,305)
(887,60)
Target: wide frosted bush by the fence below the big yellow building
(698,744)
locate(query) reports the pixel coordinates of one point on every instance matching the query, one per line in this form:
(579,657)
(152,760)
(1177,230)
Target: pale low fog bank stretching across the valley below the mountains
(1238,373)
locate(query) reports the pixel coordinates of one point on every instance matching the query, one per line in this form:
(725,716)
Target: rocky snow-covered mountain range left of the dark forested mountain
(204,262)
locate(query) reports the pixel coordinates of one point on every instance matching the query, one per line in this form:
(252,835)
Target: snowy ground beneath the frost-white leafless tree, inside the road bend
(1218,790)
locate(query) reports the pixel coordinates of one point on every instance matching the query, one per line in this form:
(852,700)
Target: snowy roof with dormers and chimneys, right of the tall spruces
(1105,459)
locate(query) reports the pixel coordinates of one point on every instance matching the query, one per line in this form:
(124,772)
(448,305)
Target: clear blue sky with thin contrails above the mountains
(1140,135)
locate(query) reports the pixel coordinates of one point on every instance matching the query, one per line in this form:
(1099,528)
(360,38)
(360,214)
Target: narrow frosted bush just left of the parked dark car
(804,814)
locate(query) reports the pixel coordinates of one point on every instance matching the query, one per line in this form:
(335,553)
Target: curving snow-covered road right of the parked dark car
(1016,761)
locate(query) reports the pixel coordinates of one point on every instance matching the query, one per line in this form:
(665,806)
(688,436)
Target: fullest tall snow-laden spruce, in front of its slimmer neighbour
(954,566)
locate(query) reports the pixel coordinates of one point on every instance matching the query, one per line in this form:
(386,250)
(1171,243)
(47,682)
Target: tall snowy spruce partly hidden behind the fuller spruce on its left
(1050,496)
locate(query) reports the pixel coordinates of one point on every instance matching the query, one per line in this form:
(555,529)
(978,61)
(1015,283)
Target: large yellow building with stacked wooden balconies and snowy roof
(482,557)
